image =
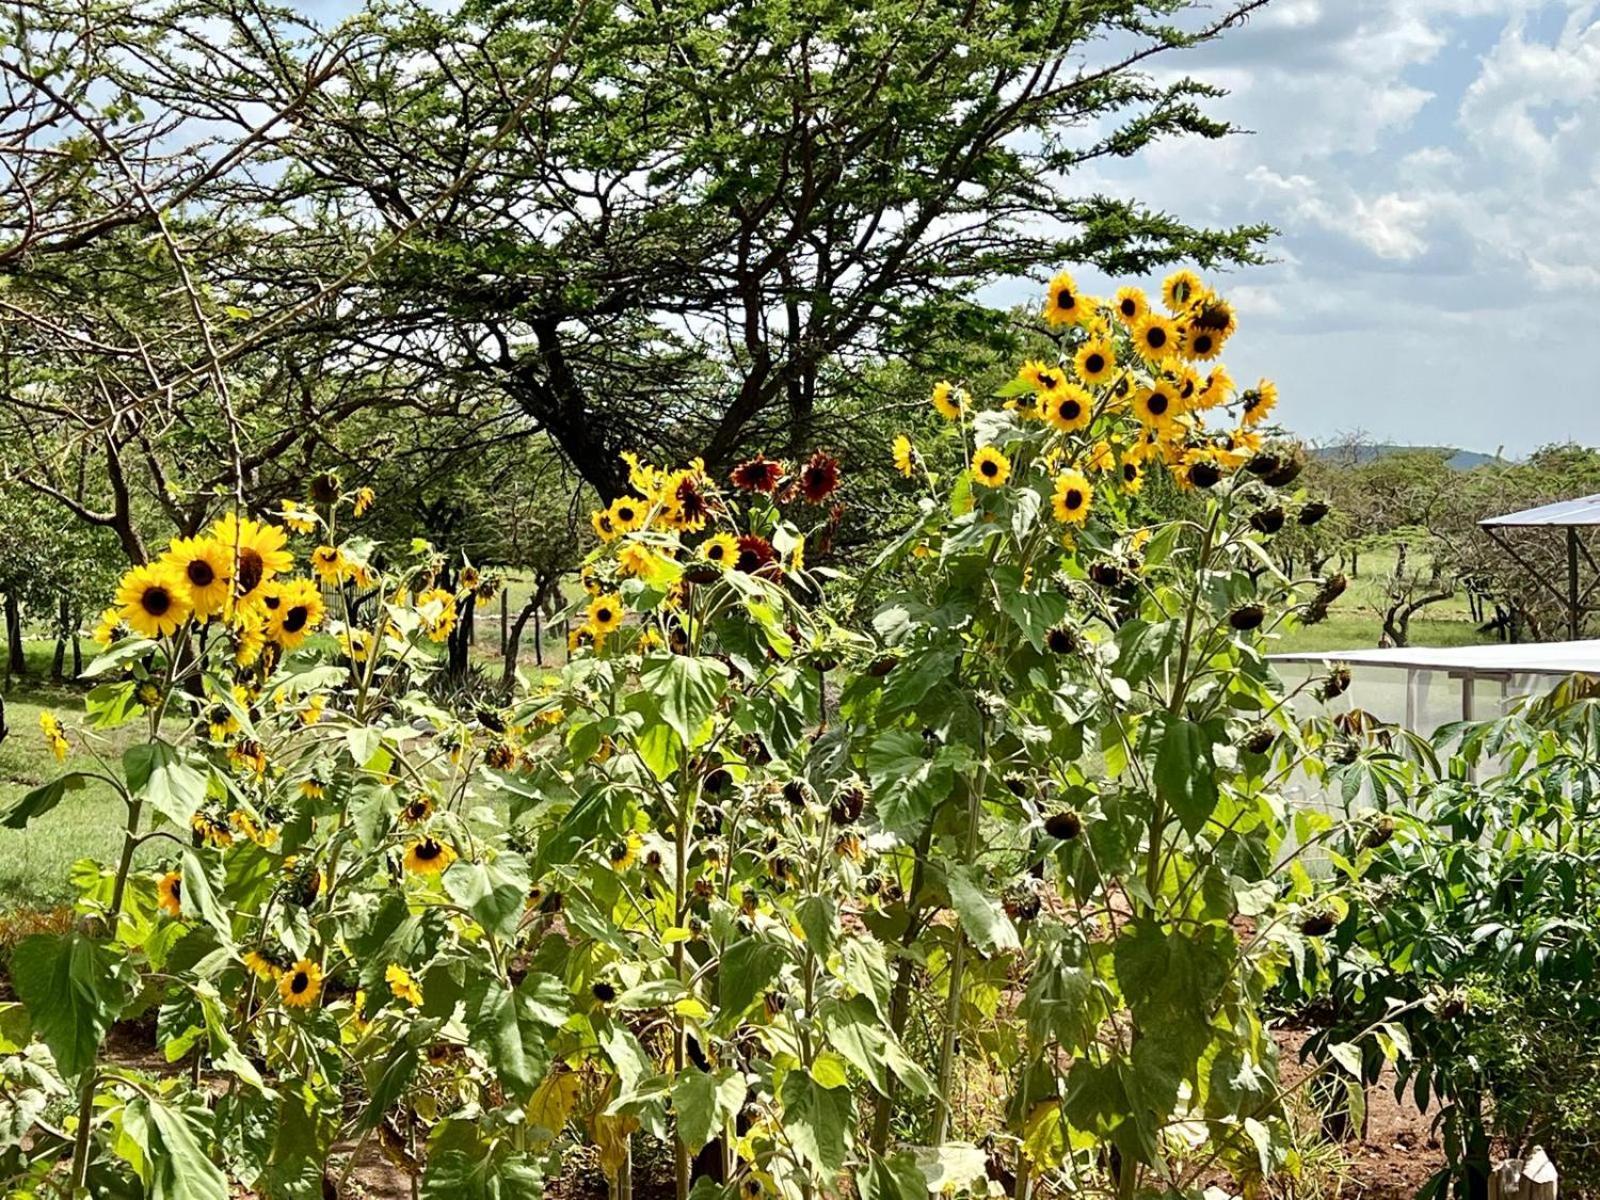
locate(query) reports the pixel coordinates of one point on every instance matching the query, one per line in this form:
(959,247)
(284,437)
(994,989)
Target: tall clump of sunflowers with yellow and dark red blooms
(964,871)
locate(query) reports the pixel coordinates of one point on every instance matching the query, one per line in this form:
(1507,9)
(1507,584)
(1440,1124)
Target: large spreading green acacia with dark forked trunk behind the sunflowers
(716,202)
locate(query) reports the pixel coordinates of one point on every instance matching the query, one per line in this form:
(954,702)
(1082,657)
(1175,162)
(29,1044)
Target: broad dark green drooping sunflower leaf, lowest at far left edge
(74,991)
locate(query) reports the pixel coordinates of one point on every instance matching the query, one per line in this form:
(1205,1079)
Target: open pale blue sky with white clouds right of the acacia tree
(1433,169)
